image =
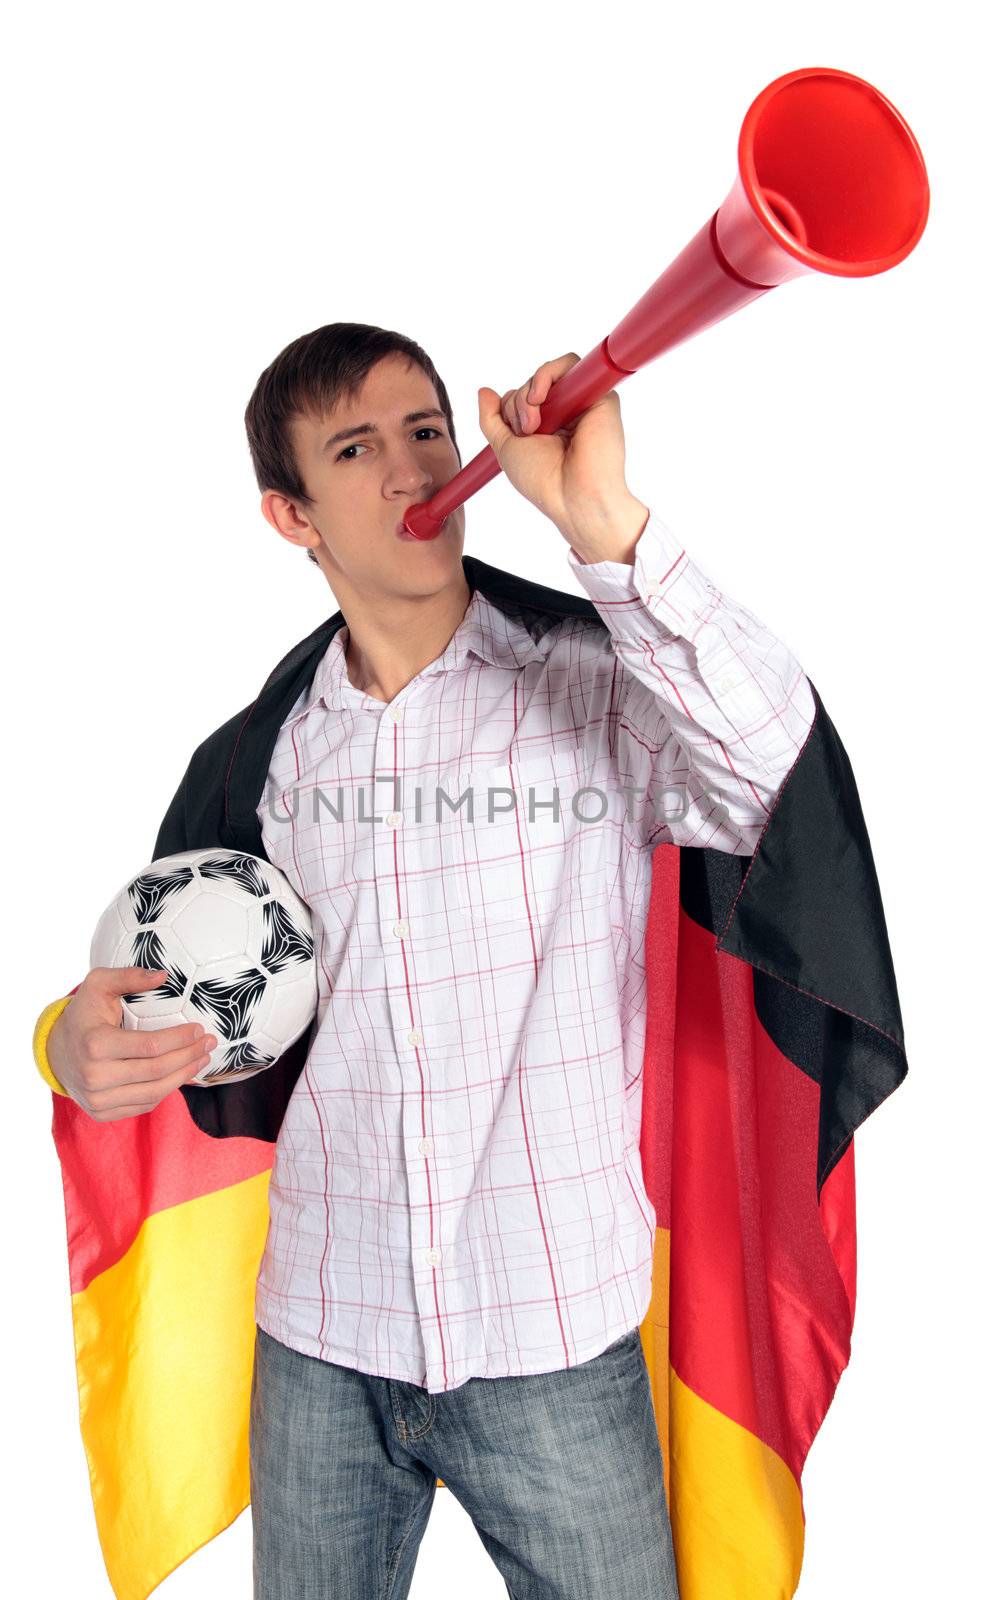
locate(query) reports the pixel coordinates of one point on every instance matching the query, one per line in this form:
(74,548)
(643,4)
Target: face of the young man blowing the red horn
(364,484)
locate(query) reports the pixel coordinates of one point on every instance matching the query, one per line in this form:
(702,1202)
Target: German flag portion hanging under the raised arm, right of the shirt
(773,1033)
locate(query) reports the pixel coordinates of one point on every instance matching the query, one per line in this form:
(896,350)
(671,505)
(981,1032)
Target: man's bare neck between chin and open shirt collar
(391,641)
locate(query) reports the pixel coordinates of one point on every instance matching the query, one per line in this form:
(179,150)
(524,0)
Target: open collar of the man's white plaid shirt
(485,633)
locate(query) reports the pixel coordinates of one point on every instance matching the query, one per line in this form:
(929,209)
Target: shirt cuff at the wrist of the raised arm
(663,578)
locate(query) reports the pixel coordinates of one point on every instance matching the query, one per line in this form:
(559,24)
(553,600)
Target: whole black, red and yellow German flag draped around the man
(773,1033)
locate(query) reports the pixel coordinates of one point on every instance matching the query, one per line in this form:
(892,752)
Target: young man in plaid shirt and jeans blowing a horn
(460,1247)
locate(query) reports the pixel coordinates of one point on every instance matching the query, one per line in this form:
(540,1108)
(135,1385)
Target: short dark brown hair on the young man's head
(309,378)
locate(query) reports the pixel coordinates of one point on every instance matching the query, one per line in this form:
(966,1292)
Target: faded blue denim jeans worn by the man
(561,1473)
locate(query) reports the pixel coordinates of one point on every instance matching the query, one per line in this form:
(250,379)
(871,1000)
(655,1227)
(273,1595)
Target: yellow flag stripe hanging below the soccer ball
(166,1348)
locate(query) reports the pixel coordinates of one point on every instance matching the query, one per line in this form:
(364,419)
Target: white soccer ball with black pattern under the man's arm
(238,945)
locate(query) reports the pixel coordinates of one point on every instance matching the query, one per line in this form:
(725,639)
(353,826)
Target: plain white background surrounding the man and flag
(188,190)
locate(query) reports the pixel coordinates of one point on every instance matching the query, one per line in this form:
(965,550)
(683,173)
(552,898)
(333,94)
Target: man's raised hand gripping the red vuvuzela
(575,476)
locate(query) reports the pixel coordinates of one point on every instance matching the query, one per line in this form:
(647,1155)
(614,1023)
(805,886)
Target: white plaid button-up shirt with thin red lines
(457,1190)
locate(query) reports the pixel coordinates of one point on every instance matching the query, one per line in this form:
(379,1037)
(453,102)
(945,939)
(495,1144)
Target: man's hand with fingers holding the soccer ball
(113,1071)
